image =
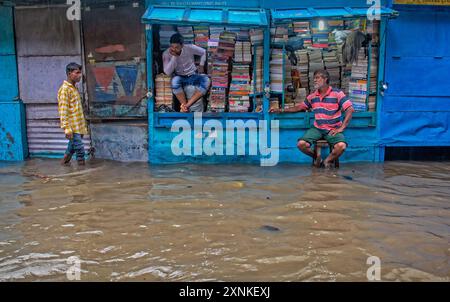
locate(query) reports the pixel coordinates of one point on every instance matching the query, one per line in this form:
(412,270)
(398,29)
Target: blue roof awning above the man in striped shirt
(289,15)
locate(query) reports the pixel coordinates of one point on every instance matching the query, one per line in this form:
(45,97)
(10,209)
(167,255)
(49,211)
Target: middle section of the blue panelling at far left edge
(9,89)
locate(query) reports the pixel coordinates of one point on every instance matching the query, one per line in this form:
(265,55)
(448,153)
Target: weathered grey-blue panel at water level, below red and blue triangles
(123,141)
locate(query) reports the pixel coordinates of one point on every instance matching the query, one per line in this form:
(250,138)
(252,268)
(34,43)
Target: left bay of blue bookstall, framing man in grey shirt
(160,123)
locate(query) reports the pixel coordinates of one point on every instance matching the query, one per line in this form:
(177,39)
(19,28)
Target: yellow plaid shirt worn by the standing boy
(71,110)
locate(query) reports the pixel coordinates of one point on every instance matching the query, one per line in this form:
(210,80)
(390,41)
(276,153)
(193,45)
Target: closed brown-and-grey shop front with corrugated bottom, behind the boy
(46,43)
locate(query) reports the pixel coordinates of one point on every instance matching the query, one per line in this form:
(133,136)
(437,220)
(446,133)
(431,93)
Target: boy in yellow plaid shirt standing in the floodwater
(71,114)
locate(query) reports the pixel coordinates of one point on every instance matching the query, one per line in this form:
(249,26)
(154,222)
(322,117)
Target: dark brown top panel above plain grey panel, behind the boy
(35,39)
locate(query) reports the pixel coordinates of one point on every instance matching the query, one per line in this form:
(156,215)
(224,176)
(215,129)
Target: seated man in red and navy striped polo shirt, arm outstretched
(327,104)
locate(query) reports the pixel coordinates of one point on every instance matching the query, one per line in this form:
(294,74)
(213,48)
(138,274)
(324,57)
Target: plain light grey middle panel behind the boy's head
(41,77)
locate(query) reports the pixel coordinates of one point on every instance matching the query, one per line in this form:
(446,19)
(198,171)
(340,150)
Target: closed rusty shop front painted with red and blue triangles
(114,41)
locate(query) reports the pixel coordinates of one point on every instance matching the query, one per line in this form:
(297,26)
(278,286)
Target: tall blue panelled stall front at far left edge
(12,112)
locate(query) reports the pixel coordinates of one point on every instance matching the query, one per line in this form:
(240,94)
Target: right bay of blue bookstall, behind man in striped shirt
(363,131)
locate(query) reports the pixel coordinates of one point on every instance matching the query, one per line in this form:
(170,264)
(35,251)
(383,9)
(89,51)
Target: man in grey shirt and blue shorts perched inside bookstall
(179,59)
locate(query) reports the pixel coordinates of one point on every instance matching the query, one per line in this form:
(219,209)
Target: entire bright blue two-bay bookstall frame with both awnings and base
(363,132)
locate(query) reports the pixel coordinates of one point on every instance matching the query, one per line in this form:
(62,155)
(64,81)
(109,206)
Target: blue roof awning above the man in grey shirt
(190,15)
